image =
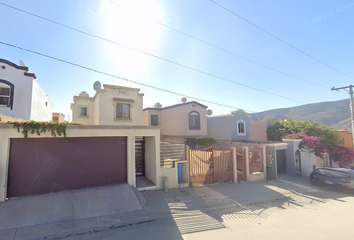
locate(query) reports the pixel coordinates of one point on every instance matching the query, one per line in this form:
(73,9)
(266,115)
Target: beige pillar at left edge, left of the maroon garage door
(4,166)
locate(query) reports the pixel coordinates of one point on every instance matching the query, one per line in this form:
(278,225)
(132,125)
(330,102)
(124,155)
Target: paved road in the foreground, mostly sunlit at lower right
(320,215)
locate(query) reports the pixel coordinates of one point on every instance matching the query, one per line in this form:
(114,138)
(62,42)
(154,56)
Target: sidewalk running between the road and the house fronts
(176,202)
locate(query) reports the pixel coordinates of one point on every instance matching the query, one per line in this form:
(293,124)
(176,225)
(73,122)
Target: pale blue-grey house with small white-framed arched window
(232,127)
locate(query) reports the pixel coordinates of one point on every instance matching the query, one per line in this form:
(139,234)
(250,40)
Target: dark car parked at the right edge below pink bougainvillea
(331,176)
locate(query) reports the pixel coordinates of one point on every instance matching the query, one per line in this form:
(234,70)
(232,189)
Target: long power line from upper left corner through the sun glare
(152,55)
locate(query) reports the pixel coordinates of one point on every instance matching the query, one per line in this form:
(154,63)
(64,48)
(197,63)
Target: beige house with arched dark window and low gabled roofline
(180,122)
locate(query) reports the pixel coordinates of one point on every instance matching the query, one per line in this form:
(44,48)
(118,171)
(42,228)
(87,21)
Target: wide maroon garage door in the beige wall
(45,165)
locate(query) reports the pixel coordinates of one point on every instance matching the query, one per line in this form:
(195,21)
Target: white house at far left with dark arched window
(20,94)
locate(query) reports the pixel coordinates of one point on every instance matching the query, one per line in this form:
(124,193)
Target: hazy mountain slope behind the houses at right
(335,114)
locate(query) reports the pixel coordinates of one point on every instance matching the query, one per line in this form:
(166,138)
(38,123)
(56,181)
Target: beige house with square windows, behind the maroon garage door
(112,105)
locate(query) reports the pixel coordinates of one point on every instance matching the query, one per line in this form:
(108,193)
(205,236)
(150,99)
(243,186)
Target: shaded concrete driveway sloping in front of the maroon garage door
(67,206)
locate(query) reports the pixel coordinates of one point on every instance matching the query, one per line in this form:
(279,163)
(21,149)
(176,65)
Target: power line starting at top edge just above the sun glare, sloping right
(227,51)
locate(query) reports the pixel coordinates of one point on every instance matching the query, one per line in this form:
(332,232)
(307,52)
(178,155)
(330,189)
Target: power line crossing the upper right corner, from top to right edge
(281,40)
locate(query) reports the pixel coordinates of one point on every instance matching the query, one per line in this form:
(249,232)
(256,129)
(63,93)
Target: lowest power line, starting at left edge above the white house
(121,78)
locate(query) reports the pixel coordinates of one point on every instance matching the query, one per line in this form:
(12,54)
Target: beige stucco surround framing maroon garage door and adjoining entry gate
(153,133)
